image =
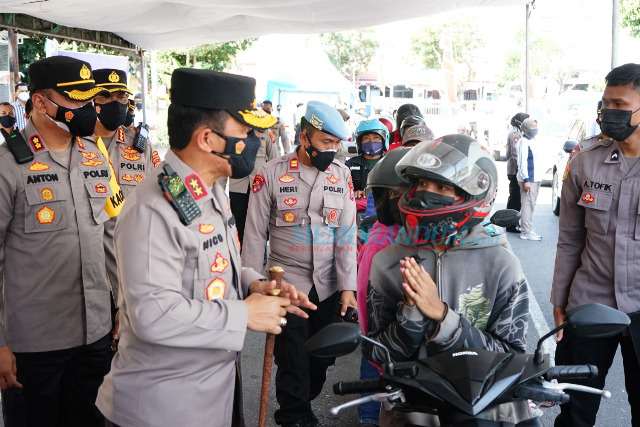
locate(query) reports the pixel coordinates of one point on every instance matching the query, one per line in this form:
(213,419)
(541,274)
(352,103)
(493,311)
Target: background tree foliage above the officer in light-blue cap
(350,51)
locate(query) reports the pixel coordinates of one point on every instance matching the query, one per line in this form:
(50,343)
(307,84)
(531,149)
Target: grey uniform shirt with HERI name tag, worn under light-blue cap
(309,218)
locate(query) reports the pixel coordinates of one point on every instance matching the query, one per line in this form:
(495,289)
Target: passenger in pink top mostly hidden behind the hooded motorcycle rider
(387,188)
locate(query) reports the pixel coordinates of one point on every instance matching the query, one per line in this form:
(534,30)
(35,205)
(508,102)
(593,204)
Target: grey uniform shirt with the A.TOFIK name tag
(599,237)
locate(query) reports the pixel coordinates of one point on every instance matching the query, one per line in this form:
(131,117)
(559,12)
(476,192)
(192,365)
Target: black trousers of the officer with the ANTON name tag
(60,387)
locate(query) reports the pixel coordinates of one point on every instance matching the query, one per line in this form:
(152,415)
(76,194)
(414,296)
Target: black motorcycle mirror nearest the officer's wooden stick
(336,339)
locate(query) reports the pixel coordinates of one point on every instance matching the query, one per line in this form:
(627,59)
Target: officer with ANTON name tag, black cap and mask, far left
(56,304)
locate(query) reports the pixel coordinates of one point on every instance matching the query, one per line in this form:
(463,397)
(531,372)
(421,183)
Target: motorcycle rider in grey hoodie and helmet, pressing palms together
(450,281)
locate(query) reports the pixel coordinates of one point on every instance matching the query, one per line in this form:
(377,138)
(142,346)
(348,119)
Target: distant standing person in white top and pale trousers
(530,170)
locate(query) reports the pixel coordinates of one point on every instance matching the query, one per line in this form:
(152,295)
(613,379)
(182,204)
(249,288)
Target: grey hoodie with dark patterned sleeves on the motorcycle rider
(482,282)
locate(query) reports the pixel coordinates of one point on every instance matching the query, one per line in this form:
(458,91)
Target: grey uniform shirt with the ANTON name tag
(52,261)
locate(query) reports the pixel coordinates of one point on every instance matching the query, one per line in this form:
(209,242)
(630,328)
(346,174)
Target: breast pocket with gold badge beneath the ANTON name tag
(45,210)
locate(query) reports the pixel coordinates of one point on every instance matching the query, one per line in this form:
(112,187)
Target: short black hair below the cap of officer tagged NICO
(183,120)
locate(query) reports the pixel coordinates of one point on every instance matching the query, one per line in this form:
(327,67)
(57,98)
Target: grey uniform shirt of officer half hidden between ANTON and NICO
(131,168)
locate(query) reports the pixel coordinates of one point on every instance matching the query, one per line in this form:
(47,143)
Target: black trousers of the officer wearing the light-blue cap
(300,377)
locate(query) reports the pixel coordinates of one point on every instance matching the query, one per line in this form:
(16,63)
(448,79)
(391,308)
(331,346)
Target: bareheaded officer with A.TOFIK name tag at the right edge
(599,243)
